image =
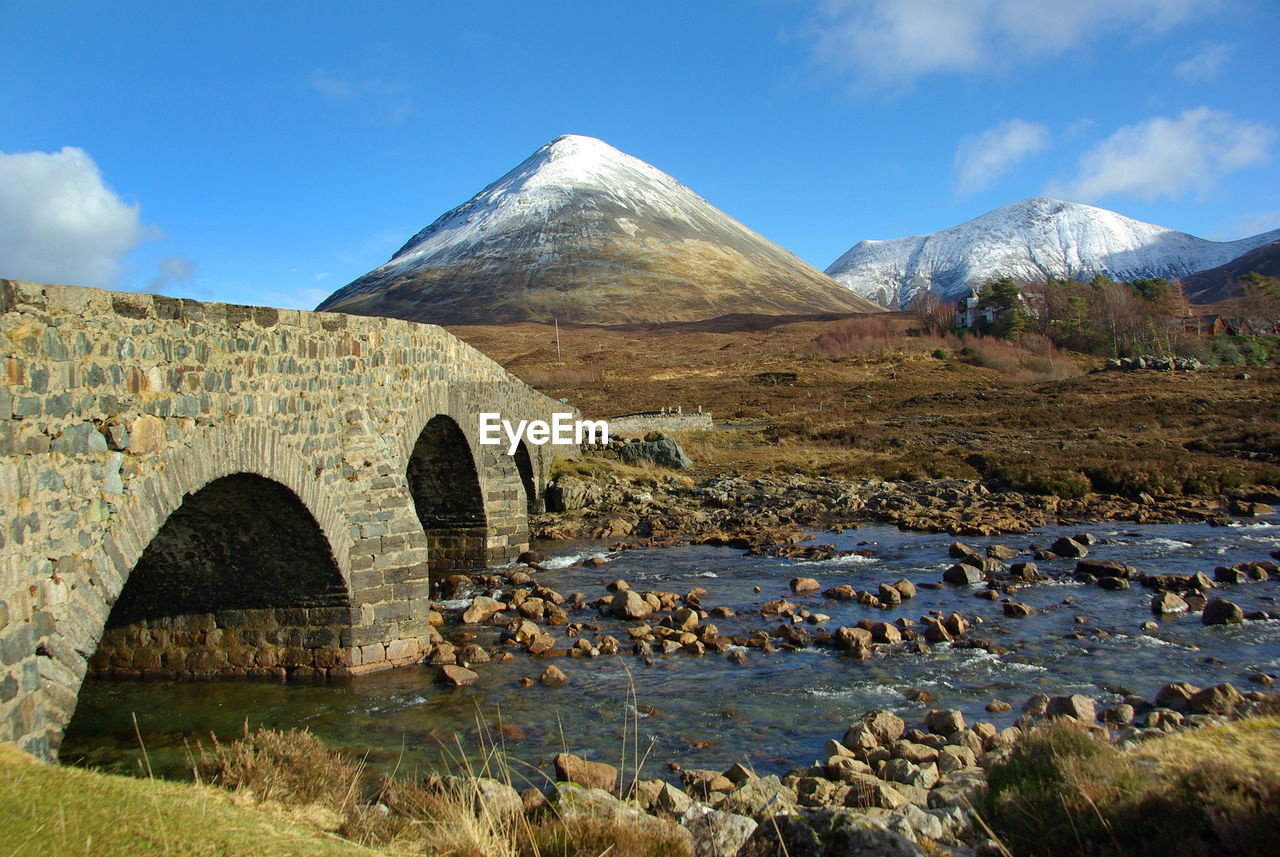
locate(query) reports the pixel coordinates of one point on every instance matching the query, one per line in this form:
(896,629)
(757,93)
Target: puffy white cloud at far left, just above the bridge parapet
(61,223)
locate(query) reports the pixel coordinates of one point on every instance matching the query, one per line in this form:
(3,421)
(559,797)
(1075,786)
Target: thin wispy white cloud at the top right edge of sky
(892,43)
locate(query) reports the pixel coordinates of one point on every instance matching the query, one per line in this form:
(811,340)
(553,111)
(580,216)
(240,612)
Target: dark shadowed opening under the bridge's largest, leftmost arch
(240,581)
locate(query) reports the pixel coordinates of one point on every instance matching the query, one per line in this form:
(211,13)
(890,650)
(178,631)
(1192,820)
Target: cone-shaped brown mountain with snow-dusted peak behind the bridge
(582,232)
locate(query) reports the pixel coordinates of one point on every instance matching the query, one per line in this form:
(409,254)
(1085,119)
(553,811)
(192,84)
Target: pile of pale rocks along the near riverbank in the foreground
(883,789)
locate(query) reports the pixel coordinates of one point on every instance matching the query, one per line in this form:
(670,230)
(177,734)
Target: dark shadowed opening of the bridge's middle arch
(445,484)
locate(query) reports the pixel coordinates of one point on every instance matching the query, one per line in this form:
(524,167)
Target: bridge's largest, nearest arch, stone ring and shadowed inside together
(112,629)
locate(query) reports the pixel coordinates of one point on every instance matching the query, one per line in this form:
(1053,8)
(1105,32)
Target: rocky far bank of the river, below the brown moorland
(772,511)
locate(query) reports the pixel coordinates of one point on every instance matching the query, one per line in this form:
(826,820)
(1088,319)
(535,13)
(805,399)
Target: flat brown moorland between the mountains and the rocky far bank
(872,397)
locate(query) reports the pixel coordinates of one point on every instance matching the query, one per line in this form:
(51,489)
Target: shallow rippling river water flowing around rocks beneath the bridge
(774,713)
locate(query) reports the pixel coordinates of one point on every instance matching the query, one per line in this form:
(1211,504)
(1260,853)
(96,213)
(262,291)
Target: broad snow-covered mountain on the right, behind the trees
(1030,241)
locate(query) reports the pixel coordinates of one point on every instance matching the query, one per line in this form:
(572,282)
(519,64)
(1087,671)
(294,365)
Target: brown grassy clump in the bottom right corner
(1210,792)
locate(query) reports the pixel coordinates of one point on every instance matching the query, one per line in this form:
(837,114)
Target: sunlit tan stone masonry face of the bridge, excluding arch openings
(117,407)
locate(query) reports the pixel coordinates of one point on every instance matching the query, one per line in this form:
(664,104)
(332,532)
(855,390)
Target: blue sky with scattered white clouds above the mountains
(271,153)
